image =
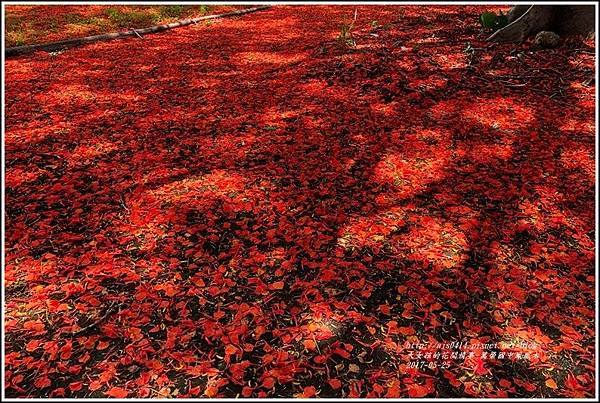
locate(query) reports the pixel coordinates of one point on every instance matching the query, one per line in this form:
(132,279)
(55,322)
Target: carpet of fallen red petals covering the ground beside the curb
(249,208)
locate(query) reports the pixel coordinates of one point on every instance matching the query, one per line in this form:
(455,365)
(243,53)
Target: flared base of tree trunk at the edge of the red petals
(525,21)
